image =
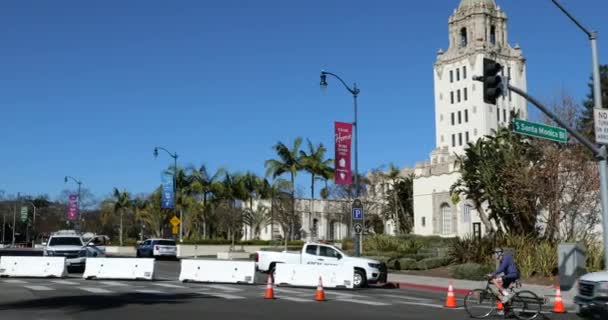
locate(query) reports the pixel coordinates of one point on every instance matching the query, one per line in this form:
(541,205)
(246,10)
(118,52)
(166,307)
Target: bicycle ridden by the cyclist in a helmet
(482,303)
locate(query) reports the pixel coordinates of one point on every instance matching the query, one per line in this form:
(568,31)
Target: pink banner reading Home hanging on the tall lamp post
(344,134)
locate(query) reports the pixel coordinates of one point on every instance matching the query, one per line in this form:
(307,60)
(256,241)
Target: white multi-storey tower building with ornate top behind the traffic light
(477,30)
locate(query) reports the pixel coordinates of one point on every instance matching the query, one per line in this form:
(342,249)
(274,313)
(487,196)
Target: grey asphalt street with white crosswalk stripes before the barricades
(75,298)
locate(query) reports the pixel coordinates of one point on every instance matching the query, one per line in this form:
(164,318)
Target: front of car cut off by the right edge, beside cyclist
(592,297)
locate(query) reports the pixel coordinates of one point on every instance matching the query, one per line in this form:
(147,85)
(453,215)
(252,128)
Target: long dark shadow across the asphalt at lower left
(97,302)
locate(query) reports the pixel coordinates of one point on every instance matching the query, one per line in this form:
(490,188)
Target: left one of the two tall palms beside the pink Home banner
(289,161)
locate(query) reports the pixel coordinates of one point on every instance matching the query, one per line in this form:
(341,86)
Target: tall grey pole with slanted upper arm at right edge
(597,98)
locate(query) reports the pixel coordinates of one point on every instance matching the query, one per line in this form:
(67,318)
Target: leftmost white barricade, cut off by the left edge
(32,267)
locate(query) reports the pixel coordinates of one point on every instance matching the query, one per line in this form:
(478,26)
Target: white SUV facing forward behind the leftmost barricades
(65,244)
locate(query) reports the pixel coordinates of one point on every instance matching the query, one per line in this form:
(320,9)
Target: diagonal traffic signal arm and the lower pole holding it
(600,154)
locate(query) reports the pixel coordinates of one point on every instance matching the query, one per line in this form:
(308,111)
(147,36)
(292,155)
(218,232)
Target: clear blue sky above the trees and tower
(88,89)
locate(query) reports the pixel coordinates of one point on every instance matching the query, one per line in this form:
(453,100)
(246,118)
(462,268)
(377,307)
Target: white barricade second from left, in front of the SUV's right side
(119,268)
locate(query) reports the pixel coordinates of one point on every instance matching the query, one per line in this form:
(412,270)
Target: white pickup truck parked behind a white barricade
(367,271)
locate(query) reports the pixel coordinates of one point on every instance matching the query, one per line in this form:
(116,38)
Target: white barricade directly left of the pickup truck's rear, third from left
(217,271)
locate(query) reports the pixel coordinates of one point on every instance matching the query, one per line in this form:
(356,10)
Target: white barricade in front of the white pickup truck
(308,275)
